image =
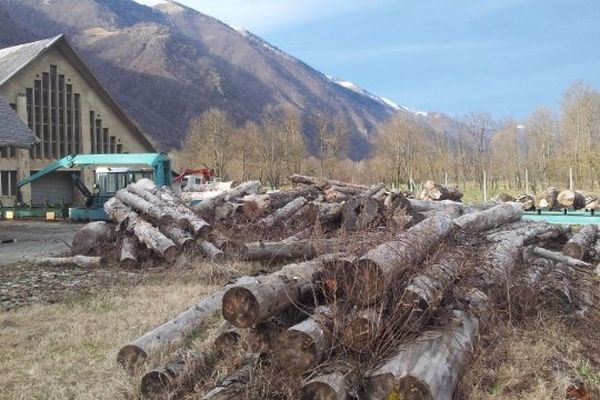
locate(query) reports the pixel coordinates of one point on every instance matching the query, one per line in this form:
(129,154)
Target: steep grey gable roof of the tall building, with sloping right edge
(14,59)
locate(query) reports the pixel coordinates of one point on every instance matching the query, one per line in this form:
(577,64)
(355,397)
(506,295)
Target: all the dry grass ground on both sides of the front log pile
(67,350)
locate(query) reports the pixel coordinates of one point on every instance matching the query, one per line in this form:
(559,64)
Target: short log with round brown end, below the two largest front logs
(304,345)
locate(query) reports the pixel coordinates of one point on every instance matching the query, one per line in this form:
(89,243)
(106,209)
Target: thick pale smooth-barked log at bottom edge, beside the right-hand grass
(429,367)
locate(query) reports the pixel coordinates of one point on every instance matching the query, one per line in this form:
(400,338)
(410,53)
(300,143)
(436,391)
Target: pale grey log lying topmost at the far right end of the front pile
(490,218)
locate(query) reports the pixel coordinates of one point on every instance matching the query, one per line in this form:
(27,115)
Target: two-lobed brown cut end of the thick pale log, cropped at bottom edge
(386,387)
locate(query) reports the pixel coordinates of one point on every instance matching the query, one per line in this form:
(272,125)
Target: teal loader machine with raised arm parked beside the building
(112,173)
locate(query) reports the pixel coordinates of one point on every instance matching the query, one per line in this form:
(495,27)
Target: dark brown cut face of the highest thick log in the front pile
(365,283)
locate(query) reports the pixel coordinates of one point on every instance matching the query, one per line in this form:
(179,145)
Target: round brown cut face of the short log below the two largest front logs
(296,350)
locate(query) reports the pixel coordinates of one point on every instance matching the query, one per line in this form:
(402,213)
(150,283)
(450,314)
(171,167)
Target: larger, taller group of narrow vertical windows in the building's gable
(54,115)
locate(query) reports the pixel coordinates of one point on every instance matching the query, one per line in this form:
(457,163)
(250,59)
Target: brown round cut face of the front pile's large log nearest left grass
(240,307)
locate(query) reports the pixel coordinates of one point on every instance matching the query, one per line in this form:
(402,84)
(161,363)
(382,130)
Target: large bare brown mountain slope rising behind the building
(170,63)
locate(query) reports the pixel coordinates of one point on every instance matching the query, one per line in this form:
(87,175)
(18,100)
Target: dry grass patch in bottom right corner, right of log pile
(539,360)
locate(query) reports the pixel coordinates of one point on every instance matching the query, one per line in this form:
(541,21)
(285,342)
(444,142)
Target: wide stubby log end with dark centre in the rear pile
(362,213)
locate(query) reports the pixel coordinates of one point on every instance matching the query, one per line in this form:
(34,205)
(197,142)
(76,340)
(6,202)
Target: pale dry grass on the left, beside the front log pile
(67,350)
